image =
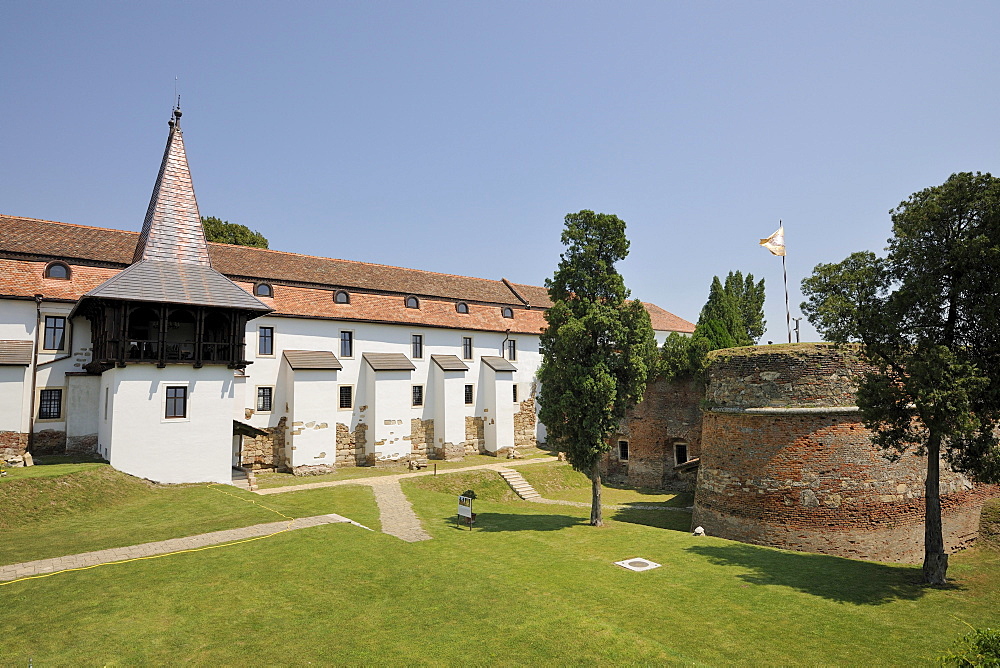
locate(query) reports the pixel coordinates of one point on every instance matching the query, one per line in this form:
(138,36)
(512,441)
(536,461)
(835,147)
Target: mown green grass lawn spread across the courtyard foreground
(530,585)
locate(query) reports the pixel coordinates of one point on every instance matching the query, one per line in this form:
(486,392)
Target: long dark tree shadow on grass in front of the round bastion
(834,578)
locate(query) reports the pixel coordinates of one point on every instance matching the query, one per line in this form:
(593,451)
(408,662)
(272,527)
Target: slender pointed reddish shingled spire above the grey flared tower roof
(172,231)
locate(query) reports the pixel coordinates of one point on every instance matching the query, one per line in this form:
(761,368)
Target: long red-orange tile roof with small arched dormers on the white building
(304,285)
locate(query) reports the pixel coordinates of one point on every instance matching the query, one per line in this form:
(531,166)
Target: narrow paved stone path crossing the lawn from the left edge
(91,559)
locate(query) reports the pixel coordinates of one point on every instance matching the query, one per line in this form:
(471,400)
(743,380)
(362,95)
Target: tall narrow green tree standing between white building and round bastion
(598,349)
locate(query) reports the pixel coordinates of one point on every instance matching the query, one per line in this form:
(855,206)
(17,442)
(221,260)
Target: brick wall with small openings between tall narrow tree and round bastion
(669,413)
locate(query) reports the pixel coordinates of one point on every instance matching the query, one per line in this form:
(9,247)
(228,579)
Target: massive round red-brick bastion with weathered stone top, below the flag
(786,462)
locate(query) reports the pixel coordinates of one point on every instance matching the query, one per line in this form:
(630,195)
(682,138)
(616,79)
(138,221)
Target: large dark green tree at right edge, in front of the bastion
(926,316)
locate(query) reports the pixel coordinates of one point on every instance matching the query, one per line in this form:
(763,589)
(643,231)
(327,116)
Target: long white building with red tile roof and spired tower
(177,359)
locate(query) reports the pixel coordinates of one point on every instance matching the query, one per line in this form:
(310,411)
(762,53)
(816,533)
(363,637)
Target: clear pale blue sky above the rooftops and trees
(454,136)
